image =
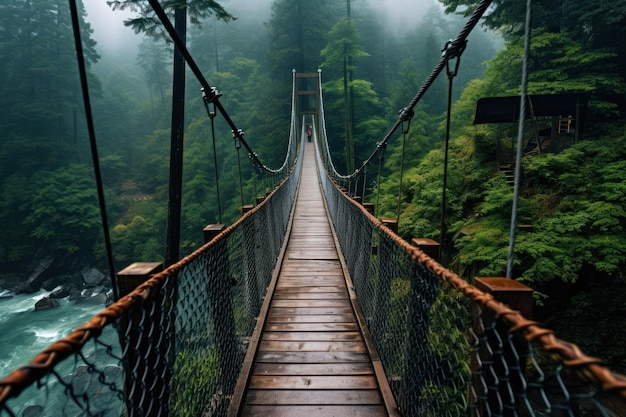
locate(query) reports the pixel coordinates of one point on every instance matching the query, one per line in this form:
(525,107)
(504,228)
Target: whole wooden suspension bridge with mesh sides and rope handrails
(310,305)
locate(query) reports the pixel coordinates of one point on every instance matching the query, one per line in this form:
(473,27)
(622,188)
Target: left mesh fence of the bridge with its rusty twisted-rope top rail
(172,347)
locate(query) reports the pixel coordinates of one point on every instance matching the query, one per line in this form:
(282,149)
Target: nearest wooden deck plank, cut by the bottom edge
(313,411)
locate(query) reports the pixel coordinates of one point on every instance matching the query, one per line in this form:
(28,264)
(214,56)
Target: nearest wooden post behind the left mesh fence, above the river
(141,366)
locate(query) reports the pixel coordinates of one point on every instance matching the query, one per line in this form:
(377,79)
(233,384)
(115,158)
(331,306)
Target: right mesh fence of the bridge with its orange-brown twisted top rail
(449,349)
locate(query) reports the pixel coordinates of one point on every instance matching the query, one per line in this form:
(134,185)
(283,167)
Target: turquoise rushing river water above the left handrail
(24,331)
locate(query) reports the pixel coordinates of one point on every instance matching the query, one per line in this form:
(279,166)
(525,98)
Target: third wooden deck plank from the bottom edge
(313,382)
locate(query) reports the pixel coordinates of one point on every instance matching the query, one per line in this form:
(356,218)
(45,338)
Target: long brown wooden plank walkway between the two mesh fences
(312,358)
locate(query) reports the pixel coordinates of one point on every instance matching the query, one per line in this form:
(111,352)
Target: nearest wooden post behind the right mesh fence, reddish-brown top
(501,354)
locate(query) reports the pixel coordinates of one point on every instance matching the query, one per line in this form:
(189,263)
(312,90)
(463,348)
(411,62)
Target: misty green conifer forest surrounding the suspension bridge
(572,250)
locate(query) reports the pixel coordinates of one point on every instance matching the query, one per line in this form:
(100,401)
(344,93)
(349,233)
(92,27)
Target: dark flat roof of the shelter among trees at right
(506,109)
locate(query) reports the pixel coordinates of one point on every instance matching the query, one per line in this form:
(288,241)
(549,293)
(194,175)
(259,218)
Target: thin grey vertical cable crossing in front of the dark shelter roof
(520,136)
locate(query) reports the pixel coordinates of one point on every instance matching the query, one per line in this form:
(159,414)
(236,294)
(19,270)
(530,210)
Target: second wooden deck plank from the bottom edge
(318,397)
